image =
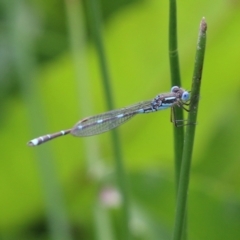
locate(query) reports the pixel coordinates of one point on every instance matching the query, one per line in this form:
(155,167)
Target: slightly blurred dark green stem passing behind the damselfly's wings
(95,20)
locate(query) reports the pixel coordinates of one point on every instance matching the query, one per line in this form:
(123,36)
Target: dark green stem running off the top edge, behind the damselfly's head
(176,81)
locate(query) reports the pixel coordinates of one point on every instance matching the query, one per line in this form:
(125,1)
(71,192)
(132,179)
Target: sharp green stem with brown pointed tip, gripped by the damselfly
(190,132)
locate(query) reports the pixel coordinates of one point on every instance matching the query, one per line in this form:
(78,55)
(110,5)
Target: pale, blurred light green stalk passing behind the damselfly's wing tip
(77,37)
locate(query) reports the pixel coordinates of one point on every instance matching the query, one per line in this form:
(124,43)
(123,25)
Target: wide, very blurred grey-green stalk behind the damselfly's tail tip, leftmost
(22,38)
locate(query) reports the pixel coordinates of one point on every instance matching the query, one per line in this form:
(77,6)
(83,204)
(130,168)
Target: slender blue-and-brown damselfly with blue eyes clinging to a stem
(106,121)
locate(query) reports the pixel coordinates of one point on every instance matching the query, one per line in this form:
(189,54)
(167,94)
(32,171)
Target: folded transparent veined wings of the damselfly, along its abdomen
(106,121)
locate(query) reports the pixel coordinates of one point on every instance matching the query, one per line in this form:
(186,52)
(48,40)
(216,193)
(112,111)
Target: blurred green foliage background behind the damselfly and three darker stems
(47,84)
